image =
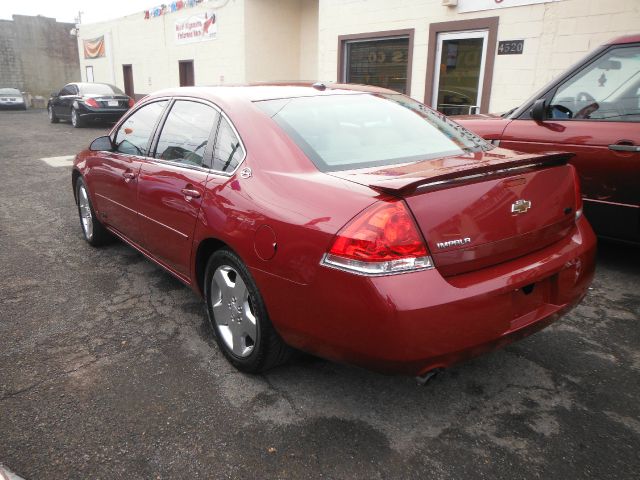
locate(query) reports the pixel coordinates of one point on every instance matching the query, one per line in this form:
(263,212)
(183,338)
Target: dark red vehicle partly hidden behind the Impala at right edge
(593,111)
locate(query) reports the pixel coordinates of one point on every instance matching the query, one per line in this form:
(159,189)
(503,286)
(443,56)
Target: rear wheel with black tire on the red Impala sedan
(238,316)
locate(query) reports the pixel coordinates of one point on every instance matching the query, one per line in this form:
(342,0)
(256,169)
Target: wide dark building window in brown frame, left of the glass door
(383,63)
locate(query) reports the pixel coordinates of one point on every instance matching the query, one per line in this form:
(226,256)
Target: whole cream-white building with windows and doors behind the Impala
(463,55)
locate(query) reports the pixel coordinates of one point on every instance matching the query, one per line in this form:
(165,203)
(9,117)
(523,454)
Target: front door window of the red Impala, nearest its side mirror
(133,135)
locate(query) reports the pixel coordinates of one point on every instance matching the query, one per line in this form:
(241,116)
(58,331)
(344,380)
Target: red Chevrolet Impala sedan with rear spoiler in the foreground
(350,222)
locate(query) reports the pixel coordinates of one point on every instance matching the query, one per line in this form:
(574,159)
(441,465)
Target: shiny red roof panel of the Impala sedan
(271,91)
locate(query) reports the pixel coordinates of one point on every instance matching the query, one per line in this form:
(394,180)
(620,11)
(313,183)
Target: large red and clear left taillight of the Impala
(382,239)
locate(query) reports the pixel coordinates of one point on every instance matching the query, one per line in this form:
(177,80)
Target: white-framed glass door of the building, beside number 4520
(459,72)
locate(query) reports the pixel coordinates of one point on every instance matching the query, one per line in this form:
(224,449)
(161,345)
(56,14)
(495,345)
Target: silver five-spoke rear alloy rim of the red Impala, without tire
(233,312)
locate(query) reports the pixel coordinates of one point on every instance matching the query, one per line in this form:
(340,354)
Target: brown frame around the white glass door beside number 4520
(491,25)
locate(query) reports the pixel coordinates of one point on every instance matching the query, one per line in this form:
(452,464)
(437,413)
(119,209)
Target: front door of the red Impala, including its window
(113,176)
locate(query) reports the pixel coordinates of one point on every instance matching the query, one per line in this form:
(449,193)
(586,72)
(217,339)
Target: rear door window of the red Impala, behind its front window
(186,133)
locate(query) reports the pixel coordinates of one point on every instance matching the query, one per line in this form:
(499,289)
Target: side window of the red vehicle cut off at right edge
(607,89)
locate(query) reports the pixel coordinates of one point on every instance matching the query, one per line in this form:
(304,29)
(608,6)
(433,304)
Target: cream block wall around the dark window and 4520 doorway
(556,34)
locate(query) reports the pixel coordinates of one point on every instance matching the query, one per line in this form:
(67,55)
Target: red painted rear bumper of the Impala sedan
(412,323)
